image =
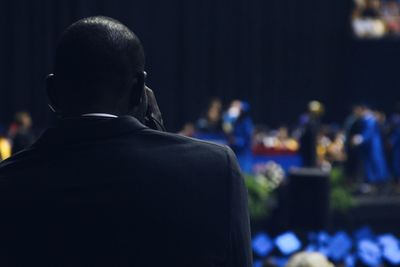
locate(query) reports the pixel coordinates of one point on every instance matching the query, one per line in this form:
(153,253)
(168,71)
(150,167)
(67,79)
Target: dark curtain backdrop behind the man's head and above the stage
(277,54)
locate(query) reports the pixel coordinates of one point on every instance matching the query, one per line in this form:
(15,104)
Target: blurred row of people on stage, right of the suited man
(366,144)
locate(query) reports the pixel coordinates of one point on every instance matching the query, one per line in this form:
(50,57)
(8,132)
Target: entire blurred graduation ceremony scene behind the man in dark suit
(305,92)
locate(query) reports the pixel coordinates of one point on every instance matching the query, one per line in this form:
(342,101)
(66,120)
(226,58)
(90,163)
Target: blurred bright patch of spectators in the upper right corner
(376,18)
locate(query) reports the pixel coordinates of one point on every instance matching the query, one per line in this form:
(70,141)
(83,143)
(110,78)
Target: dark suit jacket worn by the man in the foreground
(112,192)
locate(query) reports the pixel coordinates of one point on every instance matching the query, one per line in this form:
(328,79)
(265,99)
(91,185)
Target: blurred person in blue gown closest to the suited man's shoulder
(238,126)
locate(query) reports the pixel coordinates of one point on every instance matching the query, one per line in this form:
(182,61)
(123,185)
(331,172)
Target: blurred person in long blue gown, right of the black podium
(370,147)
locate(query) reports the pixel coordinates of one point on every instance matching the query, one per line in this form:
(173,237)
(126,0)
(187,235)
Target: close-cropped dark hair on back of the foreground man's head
(97,56)
